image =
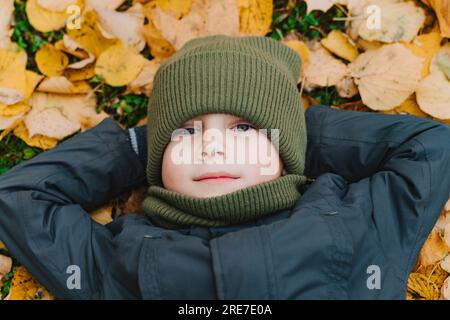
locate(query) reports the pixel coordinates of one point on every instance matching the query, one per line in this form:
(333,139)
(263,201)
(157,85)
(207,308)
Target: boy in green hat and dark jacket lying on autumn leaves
(254,233)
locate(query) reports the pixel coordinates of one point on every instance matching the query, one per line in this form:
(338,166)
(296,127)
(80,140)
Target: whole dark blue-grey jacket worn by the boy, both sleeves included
(380,183)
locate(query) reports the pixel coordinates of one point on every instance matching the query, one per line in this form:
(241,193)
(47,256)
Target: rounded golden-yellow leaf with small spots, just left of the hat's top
(119,65)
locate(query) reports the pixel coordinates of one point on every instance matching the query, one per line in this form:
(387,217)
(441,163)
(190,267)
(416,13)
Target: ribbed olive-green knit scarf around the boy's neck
(175,210)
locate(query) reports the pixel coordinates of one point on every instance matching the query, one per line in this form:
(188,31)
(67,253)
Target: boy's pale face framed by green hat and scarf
(219,145)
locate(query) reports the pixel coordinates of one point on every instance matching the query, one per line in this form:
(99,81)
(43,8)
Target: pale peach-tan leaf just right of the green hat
(323,69)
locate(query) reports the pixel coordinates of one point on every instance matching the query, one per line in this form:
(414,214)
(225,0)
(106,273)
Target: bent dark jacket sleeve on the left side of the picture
(44,203)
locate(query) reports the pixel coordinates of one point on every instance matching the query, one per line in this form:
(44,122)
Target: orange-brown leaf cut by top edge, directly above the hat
(255,16)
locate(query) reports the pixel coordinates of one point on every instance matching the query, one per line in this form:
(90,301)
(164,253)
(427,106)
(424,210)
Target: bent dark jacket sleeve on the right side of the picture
(405,161)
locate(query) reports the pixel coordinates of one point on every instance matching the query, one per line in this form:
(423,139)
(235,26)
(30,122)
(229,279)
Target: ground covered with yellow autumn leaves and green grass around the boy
(65,65)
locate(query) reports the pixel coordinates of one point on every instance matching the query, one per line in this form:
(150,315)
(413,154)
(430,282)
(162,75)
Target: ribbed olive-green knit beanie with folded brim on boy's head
(252,77)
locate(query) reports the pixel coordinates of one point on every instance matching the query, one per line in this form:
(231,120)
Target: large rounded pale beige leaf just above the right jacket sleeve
(387,76)
